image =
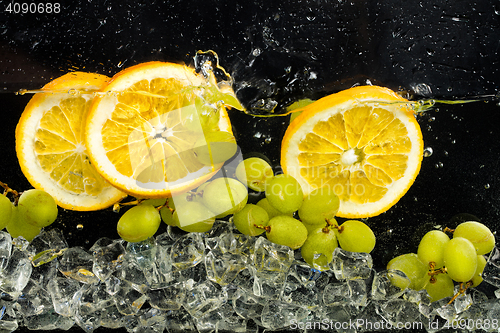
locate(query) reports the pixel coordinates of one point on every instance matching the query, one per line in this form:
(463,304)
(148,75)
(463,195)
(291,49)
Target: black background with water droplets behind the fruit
(281,51)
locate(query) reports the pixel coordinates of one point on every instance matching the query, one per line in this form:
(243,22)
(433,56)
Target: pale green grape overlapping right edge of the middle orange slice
(215,147)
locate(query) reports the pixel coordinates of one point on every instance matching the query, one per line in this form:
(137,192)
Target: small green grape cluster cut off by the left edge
(28,214)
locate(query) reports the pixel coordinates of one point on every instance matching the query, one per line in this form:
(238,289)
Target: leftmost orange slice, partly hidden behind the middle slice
(50,144)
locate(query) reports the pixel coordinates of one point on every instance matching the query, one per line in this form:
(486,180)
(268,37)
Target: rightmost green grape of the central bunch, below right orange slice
(355,236)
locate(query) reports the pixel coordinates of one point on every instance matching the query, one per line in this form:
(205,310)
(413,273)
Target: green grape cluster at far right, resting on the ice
(441,261)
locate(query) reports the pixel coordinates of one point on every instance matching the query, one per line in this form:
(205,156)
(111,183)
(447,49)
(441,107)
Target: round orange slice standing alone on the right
(363,143)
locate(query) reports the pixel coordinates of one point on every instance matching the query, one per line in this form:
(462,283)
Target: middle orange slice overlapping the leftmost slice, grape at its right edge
(143,131)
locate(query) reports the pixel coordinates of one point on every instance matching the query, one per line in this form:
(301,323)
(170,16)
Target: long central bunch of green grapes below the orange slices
(284,215)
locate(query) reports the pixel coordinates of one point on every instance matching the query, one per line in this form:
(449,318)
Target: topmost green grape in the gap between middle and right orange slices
(254,172)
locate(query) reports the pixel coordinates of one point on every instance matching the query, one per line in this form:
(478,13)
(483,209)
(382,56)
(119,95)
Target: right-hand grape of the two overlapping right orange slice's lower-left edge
(320,205)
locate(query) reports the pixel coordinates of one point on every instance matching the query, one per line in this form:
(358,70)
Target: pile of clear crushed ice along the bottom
(218,281)
